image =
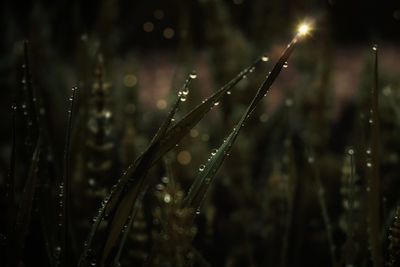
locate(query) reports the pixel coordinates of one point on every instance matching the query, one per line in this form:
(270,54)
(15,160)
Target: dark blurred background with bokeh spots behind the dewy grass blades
(264,208)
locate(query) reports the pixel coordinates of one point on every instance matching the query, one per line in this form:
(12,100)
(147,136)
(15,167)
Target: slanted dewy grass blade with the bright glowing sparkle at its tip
(201,184)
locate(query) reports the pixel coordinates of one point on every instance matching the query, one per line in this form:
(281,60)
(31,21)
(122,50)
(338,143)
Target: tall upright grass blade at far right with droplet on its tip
(374,184)
